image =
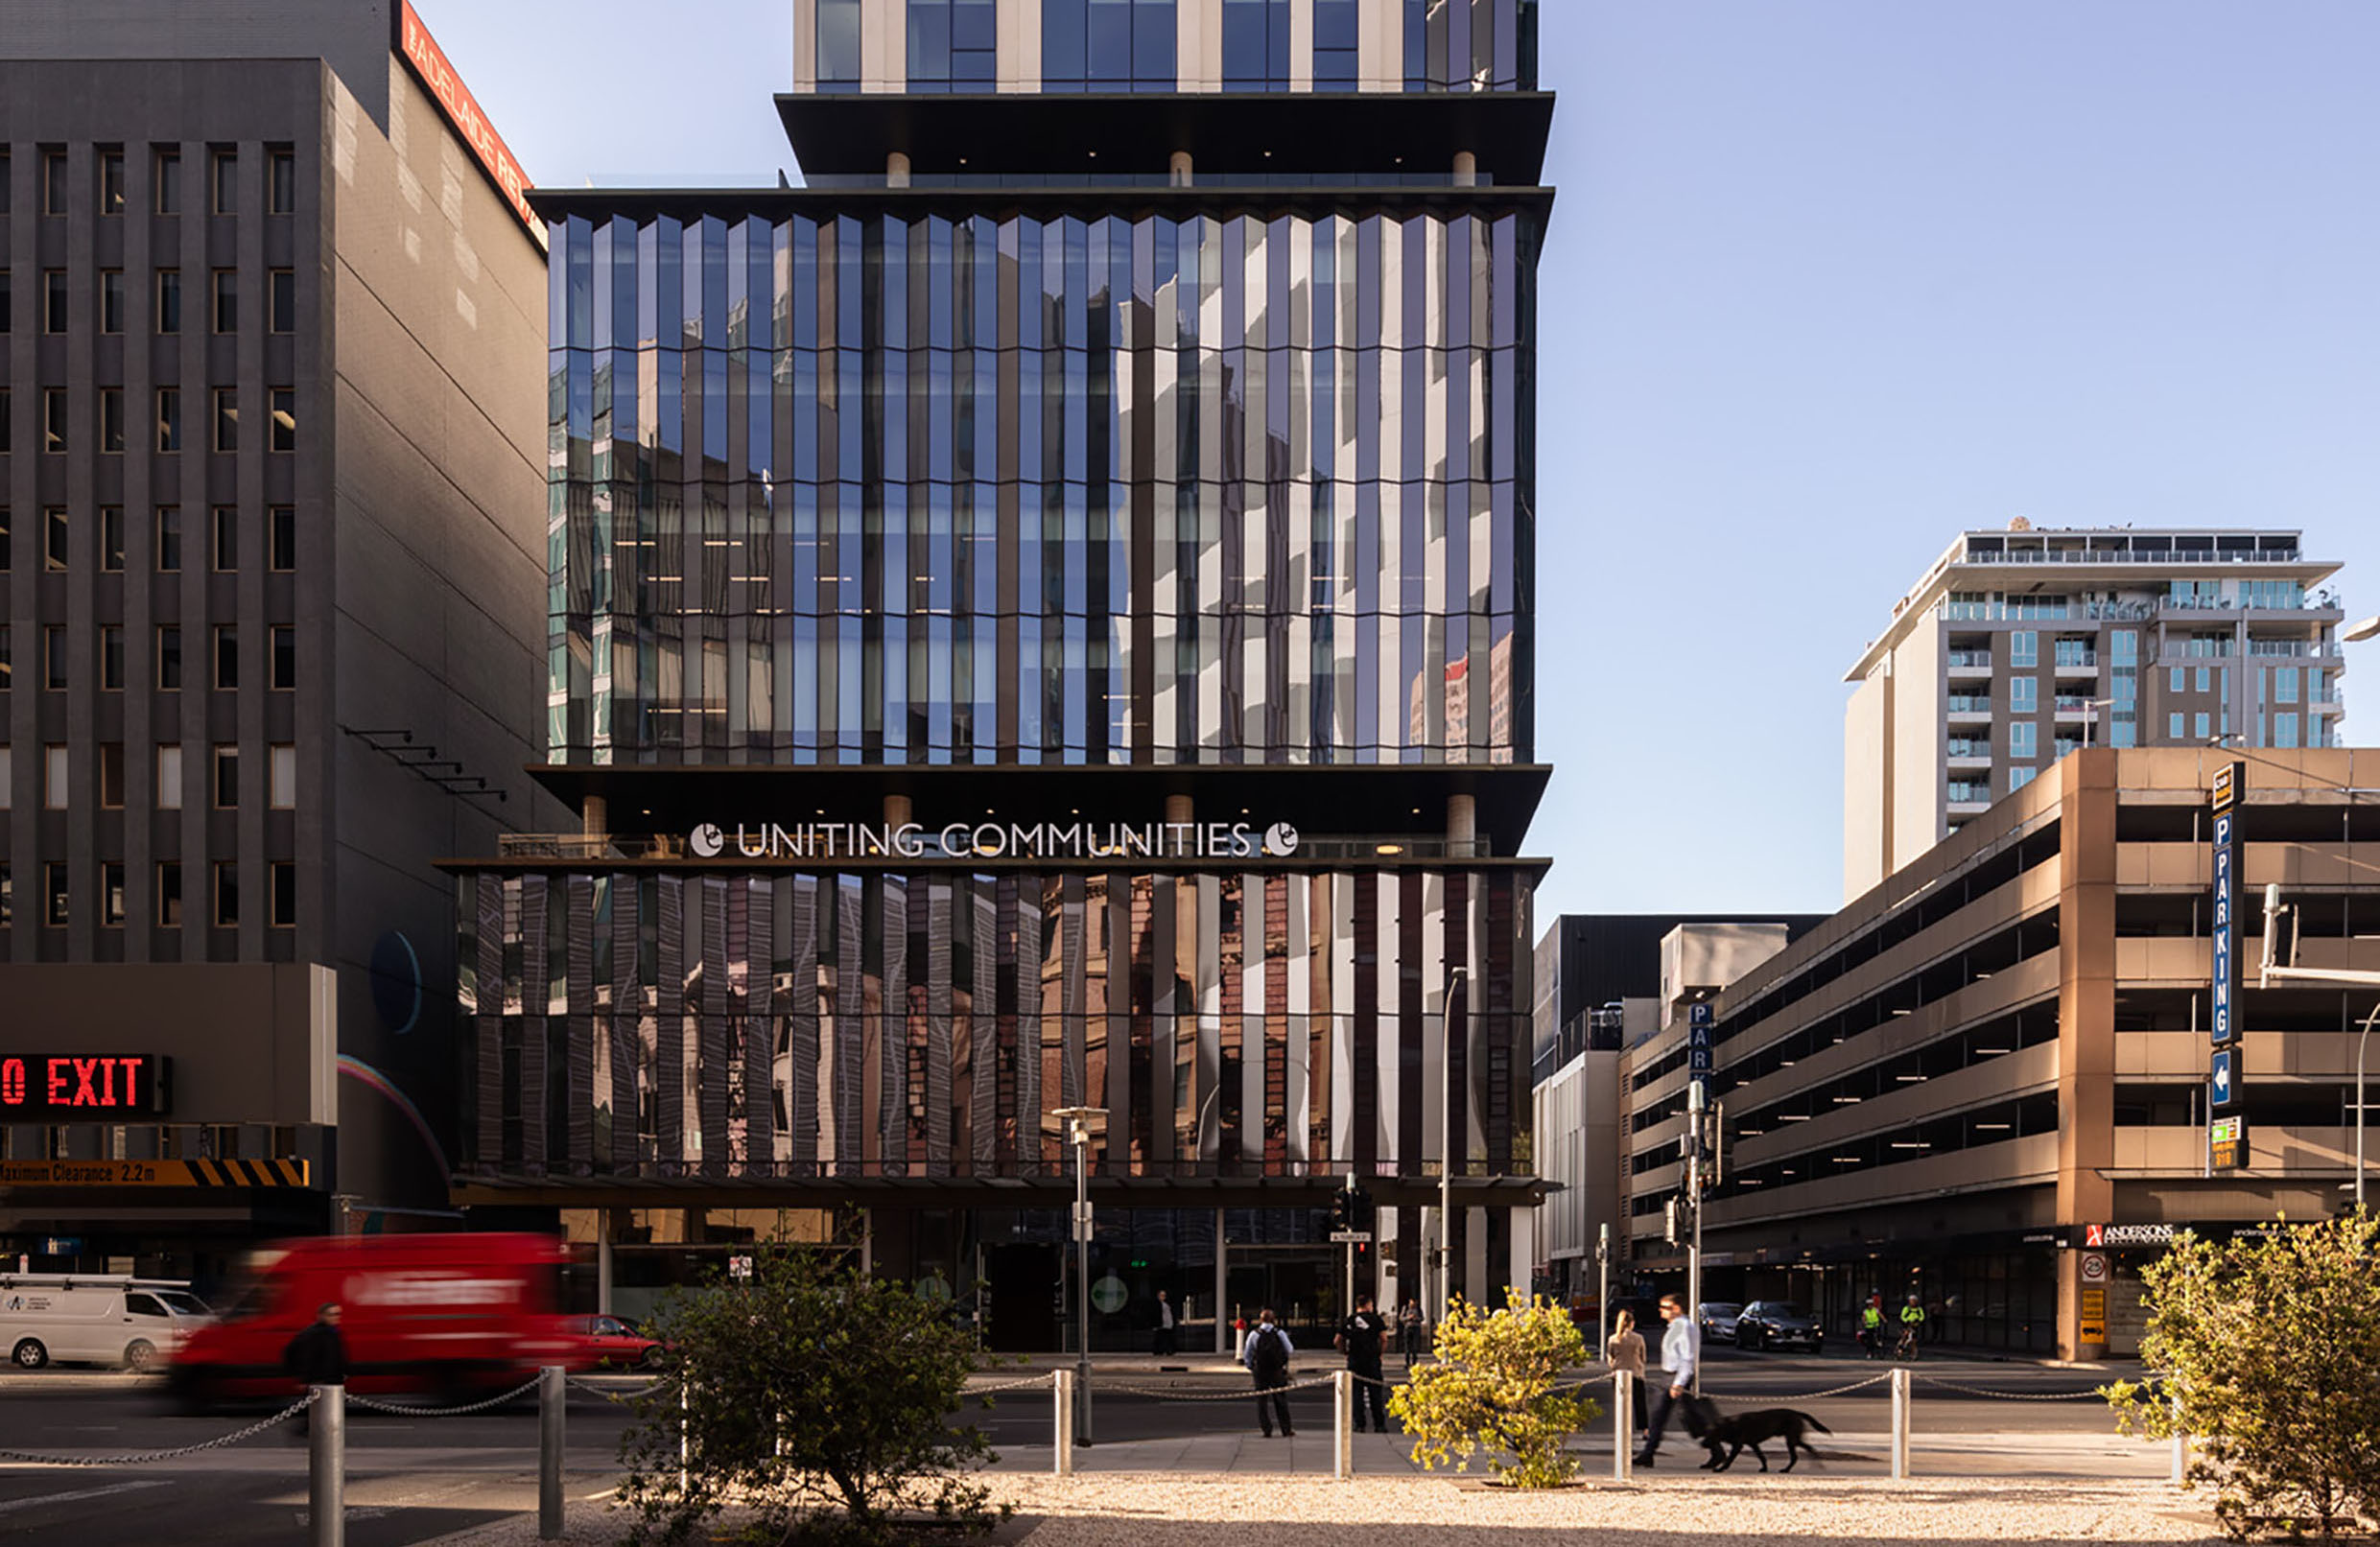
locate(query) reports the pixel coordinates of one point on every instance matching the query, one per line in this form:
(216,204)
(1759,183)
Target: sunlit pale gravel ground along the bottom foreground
(1165,1510)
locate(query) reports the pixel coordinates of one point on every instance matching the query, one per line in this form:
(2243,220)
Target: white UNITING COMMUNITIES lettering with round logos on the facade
(996,841)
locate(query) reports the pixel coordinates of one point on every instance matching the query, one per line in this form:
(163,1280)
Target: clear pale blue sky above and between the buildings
(1827,284)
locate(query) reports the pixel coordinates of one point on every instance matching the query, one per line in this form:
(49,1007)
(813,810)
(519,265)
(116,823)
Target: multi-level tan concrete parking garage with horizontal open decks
(1965,1077)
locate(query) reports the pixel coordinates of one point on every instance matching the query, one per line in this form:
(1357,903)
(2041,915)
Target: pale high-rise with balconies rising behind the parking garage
(2027,644)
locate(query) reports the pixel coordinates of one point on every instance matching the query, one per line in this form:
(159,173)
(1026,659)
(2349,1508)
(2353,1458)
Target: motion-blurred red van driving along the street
(449,1315)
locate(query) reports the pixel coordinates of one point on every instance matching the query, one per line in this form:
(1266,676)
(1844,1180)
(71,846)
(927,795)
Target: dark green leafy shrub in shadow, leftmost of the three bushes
(815,1405)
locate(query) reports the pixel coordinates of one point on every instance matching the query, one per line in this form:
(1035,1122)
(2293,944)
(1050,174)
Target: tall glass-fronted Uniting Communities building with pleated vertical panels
(1041,618)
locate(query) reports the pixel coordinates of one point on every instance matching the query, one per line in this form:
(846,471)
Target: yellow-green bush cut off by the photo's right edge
(2269,1360)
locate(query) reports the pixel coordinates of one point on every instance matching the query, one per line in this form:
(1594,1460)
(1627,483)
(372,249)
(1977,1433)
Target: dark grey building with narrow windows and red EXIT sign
(270,487)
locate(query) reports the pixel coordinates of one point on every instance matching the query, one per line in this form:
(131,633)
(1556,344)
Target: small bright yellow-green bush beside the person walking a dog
(1493,1393)
